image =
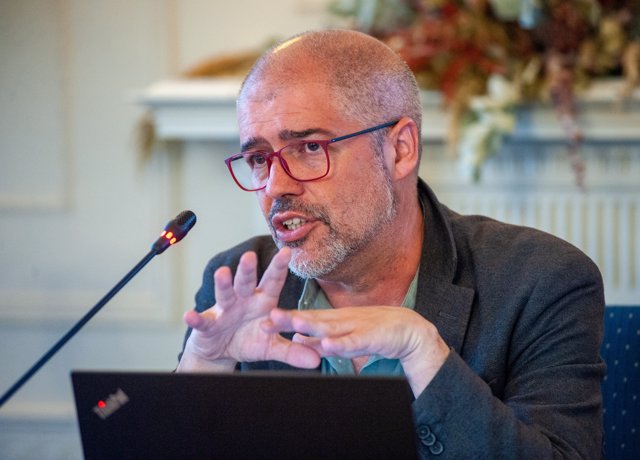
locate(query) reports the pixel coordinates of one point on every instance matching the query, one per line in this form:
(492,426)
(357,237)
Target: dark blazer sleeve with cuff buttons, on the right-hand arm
(546,403)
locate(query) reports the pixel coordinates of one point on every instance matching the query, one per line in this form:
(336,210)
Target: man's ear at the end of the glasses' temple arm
(405,148)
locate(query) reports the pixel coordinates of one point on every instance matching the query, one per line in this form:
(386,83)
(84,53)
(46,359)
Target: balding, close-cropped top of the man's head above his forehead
(369,83)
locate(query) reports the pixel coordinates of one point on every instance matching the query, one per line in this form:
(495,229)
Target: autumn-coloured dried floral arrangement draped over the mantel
(486,56)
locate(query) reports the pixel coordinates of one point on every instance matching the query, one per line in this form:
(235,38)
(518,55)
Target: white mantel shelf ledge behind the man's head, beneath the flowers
(204,109)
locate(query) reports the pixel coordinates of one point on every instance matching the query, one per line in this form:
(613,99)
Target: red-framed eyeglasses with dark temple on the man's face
(303,161)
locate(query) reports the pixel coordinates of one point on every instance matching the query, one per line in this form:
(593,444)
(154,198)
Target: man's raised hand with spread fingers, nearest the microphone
(230,332)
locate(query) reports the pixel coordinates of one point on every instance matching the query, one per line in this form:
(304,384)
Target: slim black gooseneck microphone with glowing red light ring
(173,232)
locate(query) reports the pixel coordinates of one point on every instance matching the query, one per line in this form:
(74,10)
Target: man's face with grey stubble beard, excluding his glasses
(329,221)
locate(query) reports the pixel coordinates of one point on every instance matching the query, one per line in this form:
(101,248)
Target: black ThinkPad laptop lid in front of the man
(259,415)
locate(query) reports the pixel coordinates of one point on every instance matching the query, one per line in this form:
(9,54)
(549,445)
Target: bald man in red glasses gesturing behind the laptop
(497,328)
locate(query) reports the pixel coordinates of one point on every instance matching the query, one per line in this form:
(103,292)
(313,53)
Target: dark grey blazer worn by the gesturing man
(523,314)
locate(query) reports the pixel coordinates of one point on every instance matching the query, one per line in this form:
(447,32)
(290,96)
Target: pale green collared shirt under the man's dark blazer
(313,298)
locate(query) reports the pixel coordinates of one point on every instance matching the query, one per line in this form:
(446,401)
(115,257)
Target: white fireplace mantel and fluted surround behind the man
(529,182)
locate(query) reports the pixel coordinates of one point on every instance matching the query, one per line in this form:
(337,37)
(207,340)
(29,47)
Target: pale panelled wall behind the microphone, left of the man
(78,210)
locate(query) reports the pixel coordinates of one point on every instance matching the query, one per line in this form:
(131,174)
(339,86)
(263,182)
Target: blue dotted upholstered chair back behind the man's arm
(621,387)
